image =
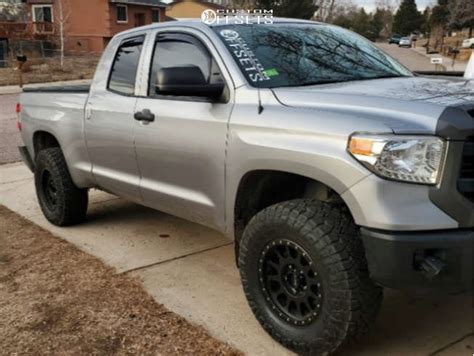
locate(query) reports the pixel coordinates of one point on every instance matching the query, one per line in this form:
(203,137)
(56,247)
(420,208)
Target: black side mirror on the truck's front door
(186,81)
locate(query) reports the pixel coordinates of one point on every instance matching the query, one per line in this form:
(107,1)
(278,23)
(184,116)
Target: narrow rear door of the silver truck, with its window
(109,123)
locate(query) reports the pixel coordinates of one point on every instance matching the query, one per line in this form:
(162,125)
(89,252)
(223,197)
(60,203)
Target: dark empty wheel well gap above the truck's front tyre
(262,188)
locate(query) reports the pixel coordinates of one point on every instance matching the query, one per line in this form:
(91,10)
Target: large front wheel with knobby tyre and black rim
(305,276)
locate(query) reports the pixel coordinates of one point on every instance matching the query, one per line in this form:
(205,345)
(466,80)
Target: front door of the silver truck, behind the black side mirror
(180,141)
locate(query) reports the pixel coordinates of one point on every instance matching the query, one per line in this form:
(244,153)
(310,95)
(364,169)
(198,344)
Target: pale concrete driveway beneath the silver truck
(190,269)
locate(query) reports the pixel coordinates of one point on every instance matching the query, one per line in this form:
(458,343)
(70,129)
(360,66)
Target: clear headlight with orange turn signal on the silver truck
(416,159)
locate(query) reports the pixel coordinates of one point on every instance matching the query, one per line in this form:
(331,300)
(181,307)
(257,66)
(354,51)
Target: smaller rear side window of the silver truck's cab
(125,66)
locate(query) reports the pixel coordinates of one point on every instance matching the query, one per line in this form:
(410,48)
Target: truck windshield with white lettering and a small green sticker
(280,55)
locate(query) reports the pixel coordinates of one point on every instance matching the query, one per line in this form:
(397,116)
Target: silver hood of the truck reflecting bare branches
(408,104)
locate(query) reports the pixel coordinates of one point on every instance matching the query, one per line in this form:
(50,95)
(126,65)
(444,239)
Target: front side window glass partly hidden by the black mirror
(181,50)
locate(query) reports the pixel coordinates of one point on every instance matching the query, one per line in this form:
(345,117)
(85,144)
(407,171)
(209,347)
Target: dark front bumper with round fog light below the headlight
(421,261)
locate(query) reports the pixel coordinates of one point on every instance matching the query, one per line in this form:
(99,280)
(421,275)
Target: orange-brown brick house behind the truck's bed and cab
(88,24)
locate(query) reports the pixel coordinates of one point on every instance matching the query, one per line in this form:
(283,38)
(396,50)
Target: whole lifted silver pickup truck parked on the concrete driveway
(336,170)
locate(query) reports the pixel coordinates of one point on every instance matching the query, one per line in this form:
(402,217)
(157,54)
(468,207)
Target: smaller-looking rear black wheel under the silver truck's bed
(61,201)
